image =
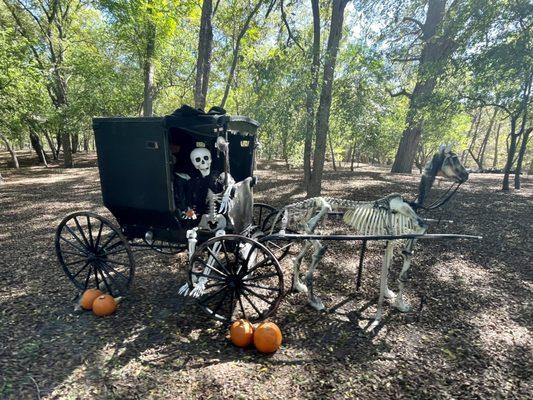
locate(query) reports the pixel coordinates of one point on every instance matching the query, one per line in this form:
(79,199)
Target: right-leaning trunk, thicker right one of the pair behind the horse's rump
(324,106)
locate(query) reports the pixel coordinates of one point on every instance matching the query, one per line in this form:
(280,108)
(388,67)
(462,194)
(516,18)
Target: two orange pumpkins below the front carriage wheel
(266,337)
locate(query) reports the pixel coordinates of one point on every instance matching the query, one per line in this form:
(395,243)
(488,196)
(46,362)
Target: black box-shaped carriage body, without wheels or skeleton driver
(137,168)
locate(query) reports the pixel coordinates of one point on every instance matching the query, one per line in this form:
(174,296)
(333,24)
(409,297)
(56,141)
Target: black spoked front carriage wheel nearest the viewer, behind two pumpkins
(236,277)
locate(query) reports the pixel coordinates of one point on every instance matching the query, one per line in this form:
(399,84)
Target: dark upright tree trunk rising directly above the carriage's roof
(203,62)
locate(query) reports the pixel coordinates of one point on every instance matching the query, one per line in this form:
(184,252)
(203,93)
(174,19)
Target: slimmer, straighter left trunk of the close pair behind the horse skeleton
(311,93)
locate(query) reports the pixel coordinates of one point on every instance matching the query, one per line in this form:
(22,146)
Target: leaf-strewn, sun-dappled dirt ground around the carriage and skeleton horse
(469,335)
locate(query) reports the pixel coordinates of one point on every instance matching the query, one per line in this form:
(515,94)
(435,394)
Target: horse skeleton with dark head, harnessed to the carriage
(391,215)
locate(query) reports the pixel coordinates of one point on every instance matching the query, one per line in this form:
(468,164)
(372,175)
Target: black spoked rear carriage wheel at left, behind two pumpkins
(94,253)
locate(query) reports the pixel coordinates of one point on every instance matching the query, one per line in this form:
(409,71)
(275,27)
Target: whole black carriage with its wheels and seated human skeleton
(148,176)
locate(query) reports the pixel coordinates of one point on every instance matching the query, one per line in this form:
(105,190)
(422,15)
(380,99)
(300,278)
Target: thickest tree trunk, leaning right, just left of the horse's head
(436,51)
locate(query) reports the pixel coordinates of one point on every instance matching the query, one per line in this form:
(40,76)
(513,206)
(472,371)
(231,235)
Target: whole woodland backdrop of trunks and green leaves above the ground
(381,82)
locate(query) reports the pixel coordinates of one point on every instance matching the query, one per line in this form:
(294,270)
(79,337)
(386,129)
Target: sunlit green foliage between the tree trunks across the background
(106,48)
